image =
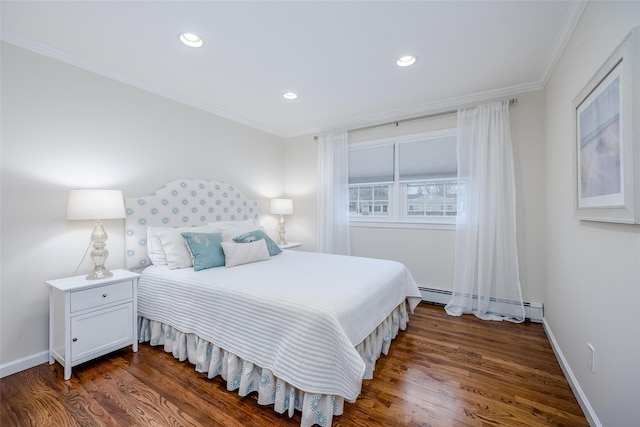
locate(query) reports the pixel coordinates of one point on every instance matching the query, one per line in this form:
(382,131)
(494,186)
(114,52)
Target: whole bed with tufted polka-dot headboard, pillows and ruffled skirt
(300,329)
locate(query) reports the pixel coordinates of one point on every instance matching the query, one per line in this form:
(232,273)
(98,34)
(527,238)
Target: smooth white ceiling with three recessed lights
(339,56)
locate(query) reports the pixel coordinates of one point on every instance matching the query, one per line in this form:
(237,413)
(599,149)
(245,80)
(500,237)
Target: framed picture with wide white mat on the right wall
(607,146)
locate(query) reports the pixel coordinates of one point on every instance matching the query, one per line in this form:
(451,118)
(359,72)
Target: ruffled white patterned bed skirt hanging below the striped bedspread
(246,378)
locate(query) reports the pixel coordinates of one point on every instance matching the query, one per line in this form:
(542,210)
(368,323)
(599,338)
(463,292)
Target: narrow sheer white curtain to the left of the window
(333,194)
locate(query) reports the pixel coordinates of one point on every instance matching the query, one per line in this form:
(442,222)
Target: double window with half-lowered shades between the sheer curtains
(406,180)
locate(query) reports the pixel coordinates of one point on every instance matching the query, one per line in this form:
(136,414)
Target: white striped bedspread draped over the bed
(299,314)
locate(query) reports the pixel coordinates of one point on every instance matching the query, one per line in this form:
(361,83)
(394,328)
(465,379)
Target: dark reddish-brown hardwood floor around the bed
(442,371)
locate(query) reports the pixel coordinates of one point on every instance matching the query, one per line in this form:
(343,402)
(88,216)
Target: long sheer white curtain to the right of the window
(486,280)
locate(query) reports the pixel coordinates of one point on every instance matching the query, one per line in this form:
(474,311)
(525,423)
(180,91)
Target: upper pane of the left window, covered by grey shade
(371,164)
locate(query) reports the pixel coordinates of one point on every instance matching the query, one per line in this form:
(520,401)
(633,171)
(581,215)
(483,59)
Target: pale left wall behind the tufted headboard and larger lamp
(64,128)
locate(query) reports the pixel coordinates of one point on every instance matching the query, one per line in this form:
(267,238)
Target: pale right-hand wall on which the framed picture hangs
(592,281)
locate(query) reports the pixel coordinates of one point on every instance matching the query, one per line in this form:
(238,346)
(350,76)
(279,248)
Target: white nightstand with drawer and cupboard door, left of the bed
(90,318)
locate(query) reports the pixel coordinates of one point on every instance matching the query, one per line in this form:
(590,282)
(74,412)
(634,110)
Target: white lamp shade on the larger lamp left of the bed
(95,204)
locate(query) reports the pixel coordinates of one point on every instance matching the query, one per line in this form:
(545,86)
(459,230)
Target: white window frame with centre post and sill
(397,217)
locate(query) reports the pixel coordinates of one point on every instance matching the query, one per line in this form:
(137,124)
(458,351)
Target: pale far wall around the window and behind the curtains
(429,253)
